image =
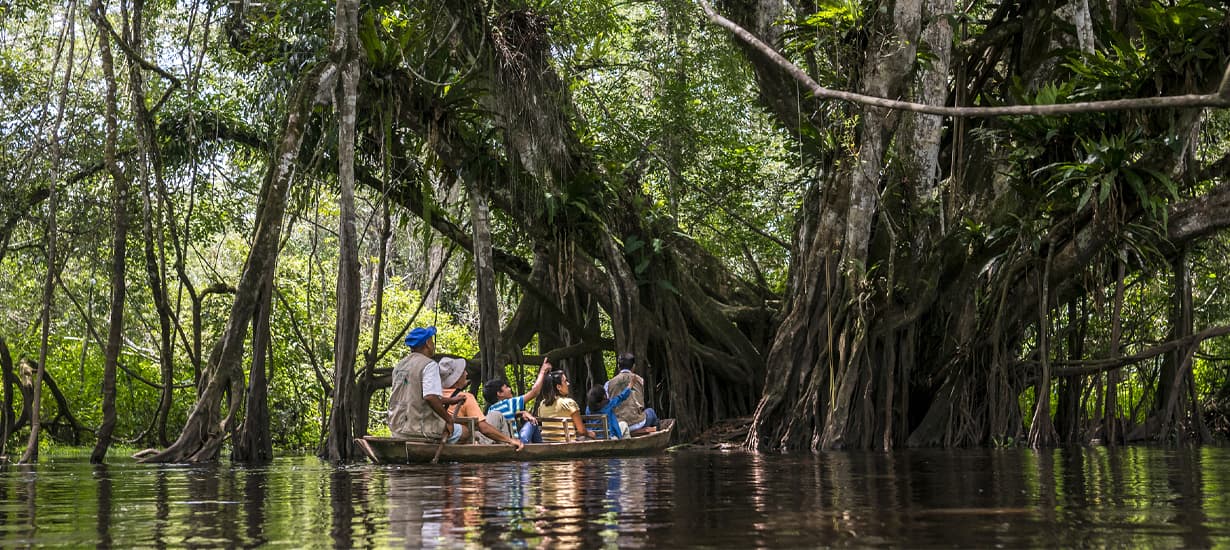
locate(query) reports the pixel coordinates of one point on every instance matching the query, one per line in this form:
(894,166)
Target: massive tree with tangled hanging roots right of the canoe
(881,263)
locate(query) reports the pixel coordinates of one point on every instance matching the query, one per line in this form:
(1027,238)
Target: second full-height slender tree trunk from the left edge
(119,244)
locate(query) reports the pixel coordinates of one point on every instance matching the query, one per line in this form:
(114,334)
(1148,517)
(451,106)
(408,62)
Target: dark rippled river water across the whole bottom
(1136,498)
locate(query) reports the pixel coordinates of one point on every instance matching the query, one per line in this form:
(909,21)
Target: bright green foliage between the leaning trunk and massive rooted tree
(669,103)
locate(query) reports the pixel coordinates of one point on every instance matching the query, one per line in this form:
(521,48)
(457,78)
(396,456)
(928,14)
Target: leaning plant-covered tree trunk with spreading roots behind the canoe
(596,228)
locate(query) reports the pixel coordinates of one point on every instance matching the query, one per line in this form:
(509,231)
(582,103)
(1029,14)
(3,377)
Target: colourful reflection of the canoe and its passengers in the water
(589,504)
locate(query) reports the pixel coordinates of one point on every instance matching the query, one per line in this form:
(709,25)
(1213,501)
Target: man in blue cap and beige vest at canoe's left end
(418,408)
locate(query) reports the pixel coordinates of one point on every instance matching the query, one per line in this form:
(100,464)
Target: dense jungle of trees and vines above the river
(837,223)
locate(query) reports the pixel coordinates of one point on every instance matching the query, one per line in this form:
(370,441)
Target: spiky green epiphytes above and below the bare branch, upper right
(1105,161)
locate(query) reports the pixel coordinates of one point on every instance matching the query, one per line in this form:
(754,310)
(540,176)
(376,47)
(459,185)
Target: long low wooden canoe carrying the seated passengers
(391,451)
